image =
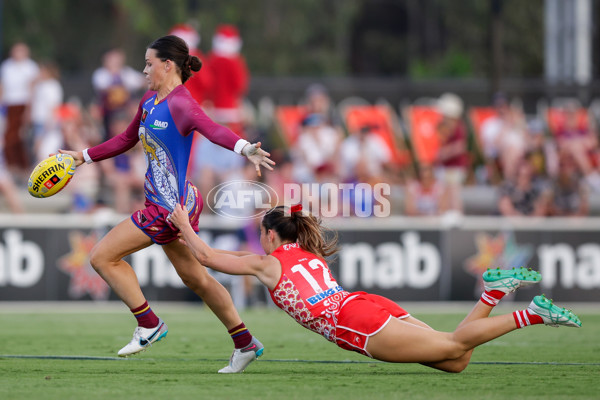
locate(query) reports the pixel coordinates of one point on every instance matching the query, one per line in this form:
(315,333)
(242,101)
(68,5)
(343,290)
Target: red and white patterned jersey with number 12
(307,291)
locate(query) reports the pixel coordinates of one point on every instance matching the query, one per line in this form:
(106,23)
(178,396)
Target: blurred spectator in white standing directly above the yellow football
(46,100)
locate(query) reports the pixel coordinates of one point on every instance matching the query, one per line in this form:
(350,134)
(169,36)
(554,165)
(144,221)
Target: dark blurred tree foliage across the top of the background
(415,38)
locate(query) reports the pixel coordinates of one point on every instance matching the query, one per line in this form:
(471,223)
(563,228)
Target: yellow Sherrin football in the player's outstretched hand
(51,175)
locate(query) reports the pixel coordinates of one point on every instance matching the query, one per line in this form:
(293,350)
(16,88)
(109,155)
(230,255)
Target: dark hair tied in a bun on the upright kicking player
(174,48)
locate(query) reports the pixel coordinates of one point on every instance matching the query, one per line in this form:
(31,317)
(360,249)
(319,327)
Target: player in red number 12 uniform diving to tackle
(300,283)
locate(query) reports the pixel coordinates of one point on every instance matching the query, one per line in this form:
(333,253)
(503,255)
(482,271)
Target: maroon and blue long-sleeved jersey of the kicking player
(165,130)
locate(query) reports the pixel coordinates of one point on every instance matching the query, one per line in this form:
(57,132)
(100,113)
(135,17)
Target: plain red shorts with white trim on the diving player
(362,315)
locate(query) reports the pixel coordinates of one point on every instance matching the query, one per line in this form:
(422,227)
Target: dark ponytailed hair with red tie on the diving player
(302,227)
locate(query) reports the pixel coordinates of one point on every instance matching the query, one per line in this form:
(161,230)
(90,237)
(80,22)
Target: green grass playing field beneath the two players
(533,363)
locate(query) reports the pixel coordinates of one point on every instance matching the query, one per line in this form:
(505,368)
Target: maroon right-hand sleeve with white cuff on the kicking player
(189,117)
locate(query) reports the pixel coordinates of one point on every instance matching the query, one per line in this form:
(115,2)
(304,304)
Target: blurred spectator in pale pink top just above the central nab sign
(426,196)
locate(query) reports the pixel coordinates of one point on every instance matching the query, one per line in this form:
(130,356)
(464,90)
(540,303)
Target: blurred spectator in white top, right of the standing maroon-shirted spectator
(505,139)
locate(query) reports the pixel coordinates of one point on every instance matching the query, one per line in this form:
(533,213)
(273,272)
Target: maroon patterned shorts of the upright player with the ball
(152,220)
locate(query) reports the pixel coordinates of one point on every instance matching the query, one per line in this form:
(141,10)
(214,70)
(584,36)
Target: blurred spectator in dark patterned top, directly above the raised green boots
(524,194)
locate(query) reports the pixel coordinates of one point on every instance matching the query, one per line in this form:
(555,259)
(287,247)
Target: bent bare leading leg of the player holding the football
(107,260)
